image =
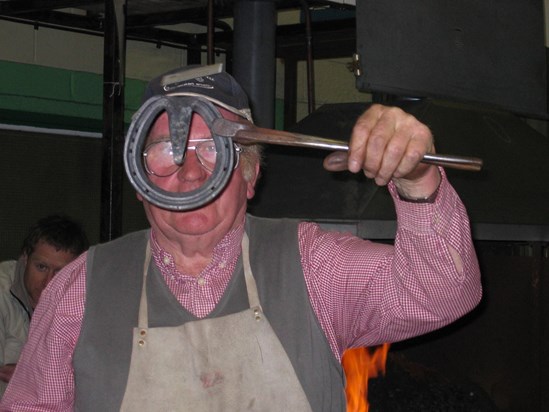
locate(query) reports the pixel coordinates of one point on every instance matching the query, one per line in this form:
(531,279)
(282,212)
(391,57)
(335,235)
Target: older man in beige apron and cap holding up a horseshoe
(214,309)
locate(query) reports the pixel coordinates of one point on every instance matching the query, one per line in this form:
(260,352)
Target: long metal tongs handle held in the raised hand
(246,133)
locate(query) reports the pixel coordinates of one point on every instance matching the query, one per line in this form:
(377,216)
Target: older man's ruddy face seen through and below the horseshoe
(208,223)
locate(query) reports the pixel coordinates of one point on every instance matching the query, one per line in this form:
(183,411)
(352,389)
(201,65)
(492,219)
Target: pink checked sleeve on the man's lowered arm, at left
(43,379)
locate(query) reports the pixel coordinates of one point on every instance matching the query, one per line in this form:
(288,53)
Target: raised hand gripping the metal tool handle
(388,144)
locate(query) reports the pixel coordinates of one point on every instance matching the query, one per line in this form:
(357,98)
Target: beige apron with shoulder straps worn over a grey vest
(230,363)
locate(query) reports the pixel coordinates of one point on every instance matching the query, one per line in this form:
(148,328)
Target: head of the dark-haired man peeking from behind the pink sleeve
(50,244)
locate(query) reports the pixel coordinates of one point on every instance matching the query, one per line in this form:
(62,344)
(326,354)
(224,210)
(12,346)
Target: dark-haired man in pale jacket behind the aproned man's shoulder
(50,244)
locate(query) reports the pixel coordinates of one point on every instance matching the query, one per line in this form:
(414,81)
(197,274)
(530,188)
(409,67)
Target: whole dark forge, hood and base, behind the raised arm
(496,357)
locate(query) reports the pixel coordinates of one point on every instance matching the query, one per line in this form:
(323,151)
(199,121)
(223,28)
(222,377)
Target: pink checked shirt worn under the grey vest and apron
(363,293)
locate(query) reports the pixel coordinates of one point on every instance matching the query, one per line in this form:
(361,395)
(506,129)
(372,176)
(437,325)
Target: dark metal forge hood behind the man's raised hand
(507,200)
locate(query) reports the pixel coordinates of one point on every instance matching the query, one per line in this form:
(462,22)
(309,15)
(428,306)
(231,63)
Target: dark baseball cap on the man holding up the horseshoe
(209,82)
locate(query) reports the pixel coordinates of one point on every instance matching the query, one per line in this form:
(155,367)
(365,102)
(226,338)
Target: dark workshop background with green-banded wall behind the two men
(475,72)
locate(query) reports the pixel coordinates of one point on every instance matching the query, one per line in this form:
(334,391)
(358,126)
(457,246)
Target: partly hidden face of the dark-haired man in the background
(40,267)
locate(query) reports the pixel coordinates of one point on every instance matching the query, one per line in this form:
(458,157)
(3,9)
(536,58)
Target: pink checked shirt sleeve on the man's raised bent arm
(366,293)
